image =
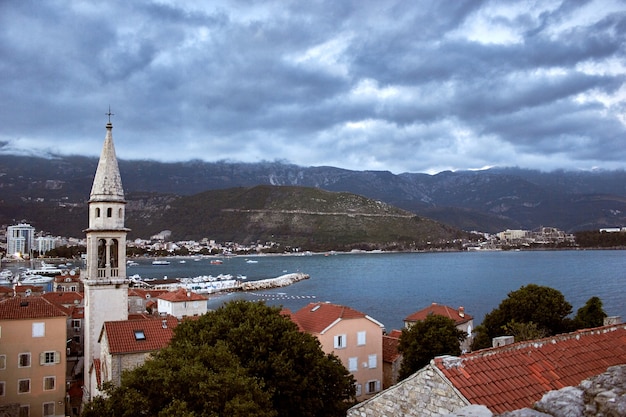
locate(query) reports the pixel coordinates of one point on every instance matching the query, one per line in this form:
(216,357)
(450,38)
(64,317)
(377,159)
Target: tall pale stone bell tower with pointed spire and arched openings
(104,277)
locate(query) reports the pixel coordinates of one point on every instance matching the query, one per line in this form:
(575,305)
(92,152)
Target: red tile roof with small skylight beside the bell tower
(122,334)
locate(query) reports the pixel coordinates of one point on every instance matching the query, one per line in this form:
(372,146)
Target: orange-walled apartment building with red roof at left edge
(32,357)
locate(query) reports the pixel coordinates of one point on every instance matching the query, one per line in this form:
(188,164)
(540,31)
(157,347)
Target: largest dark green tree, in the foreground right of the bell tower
(244,359)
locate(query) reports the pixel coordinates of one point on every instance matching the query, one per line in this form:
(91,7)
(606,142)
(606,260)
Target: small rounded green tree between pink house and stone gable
(435,336)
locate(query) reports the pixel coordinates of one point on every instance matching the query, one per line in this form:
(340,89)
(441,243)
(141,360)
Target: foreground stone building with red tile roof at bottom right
(502,379)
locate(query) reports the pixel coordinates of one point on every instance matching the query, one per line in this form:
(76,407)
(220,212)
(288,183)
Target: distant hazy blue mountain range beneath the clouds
(488,200)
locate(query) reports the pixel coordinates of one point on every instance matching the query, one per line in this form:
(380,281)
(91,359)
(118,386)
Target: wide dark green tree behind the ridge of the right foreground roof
(545,307)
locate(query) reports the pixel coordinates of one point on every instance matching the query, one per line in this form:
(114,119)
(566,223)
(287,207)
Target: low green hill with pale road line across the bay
(308,218)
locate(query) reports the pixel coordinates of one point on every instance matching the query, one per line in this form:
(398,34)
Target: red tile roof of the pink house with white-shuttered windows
(317,317)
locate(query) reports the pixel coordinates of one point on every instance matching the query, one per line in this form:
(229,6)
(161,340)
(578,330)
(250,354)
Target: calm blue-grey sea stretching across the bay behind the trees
(390,286)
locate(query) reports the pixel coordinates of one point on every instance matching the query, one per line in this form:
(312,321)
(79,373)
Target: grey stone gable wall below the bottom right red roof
(413,397)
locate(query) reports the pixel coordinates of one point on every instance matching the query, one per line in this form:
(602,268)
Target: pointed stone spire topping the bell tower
(107,184)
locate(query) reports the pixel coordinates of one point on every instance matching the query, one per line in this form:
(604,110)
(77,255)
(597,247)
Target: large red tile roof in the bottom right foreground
(515,376)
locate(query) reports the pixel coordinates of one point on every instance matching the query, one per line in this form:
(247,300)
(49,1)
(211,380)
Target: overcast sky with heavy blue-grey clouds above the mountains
(404,86)
